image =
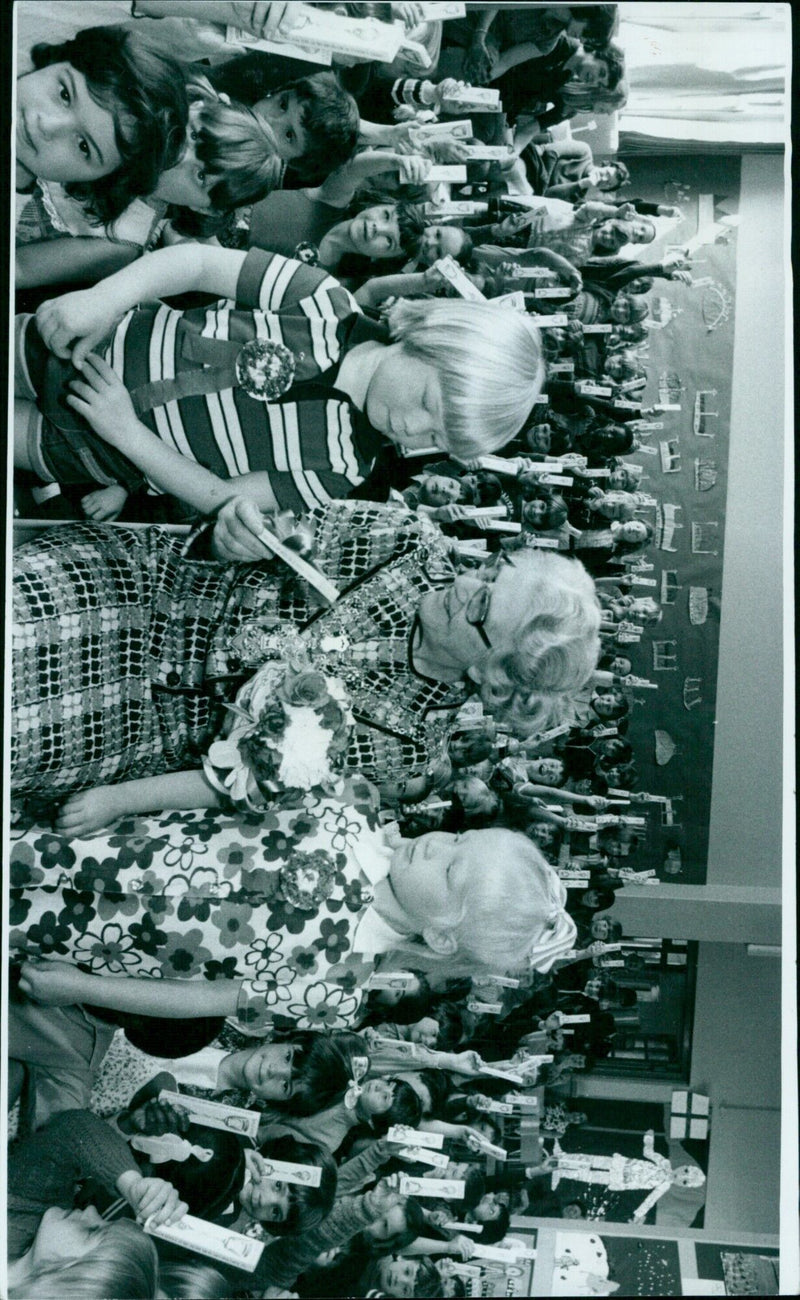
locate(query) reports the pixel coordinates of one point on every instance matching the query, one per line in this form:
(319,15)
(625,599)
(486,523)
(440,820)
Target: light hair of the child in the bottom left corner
(124,1264)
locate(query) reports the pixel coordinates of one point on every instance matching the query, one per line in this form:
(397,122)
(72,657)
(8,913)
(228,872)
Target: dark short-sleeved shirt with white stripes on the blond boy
(313,443)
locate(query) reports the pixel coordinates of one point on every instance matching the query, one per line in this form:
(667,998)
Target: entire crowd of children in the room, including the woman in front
(401,323)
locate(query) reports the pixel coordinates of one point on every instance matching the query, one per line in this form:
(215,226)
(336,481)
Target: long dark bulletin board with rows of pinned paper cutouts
(690,362)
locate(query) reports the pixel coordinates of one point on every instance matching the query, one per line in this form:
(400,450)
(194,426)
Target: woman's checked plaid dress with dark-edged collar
(126,649)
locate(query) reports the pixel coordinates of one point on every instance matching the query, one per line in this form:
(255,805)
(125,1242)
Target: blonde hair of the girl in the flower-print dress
(494,935)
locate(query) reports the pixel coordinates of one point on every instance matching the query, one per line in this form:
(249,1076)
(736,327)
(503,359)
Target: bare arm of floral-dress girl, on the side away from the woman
(58,983)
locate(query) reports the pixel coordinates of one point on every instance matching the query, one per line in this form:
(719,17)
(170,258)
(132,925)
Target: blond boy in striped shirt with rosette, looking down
(447,378)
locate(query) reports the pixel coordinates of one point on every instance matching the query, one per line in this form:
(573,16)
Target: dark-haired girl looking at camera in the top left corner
(98,120)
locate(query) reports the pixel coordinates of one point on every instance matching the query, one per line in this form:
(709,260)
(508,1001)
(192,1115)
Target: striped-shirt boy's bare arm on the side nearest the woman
(103,401)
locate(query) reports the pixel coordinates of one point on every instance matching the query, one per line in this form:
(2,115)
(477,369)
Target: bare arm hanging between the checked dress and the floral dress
(92,811)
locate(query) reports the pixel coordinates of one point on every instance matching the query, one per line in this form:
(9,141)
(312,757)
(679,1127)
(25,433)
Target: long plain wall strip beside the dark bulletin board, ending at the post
(745,846)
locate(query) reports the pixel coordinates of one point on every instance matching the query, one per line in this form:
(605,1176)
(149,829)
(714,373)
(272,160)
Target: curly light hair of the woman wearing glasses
(530,684)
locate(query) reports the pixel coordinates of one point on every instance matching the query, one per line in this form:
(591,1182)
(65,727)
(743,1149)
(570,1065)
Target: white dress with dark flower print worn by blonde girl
(206,896)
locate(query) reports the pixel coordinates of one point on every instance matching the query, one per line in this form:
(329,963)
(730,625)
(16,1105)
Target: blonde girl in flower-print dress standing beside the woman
(435,887)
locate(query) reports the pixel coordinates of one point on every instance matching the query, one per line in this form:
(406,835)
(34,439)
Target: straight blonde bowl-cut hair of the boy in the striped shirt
(490,365)
